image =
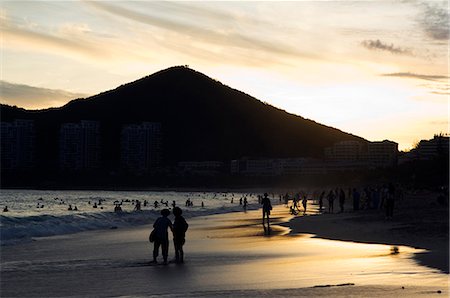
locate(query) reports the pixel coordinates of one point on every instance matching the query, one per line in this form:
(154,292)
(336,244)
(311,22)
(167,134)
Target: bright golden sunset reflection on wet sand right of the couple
(303,260)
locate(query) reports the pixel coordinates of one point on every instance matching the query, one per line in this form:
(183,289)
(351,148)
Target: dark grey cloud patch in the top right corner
(434,20)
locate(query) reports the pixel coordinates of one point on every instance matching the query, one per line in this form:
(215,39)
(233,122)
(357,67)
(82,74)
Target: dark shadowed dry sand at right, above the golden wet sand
(418,222)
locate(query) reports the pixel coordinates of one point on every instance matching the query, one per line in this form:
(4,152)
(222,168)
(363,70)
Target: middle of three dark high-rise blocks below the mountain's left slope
(79,146)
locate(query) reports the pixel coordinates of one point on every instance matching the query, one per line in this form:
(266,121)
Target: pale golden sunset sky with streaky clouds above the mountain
(377,69)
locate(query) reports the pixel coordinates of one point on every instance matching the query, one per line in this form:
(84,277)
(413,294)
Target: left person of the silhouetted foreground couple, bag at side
(161,236)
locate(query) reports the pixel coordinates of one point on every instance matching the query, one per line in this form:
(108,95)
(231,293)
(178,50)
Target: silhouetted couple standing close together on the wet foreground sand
(160,235)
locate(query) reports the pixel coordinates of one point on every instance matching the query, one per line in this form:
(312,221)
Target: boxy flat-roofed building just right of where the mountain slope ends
(382,154)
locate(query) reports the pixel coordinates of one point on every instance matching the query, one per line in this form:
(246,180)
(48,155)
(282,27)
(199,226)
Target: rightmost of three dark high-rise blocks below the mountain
(141,147)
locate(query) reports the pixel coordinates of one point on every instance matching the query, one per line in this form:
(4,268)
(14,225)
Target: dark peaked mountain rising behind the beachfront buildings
(201,119)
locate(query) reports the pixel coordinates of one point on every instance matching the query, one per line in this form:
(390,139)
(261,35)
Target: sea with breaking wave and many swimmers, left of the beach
(43,213)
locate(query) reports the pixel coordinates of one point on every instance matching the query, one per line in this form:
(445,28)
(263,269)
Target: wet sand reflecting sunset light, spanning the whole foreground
(226,255)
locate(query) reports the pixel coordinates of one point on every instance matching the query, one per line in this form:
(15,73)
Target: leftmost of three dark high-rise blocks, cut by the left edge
(17,145)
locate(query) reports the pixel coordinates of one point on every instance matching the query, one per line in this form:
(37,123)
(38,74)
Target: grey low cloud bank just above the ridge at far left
(30,97)
